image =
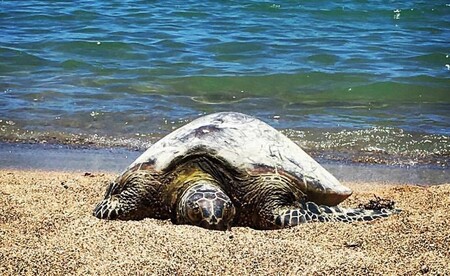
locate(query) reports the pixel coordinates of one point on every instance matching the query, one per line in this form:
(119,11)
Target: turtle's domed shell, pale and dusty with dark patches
(249,146)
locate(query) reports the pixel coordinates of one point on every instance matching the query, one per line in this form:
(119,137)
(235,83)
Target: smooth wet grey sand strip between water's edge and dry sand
(63,158)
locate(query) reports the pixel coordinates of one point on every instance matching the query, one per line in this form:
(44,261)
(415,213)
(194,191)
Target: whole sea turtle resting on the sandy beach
(227,169)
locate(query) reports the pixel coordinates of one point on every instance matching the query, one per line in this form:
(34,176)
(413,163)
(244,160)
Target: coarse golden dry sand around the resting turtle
(46,227)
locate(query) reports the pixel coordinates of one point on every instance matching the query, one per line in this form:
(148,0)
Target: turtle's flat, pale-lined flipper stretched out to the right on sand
(310,212)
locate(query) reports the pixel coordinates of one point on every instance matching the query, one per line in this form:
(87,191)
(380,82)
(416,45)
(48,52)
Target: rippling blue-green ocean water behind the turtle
(353,81)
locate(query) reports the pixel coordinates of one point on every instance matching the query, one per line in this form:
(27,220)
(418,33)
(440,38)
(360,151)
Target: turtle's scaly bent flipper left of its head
(134,196)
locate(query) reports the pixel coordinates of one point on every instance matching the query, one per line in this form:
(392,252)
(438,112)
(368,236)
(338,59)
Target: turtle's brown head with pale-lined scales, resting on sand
(206,205)
